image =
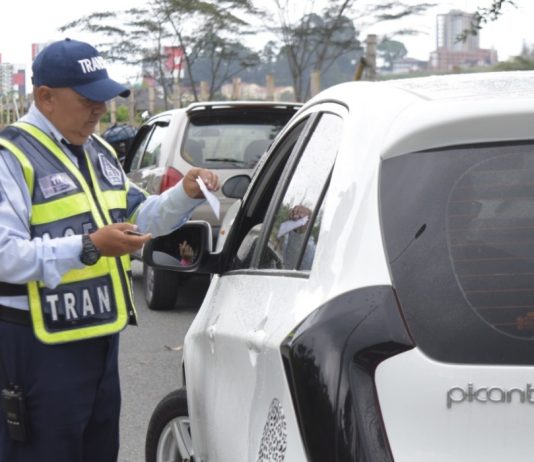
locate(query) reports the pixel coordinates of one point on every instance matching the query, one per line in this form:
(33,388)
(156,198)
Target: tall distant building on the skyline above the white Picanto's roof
(451,52)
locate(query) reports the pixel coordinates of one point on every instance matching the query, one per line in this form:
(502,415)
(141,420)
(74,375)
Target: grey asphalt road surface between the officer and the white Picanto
(150,367)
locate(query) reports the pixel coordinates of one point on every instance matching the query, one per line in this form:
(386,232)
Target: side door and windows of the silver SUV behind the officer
(143,163)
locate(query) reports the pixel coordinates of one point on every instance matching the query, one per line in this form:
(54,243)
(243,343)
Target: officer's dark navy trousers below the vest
(72,395)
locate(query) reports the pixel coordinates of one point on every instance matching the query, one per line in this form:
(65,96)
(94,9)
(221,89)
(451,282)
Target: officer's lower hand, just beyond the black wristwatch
(112,240)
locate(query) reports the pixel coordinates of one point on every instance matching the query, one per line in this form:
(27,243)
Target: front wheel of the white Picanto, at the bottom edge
(168,435)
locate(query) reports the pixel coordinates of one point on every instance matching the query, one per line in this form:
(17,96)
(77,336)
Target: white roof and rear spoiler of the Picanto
(419,114)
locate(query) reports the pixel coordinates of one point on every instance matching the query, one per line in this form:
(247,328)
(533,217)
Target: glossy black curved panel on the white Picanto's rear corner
(330,361)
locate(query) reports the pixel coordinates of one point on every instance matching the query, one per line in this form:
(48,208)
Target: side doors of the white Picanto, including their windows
(238,397)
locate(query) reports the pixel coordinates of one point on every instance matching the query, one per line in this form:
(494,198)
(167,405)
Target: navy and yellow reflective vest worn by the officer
(89,302)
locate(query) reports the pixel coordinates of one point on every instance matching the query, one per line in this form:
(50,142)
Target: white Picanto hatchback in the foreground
(374,298)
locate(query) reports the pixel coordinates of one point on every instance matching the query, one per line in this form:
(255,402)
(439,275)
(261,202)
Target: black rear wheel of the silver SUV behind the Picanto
(160,287)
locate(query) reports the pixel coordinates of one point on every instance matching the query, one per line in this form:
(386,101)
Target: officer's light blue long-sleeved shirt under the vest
(23,259)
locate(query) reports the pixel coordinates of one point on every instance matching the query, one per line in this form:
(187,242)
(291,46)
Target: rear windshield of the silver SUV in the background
(231,139)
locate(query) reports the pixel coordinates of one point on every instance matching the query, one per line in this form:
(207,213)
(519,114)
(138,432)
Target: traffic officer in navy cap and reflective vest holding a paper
(66,208)
